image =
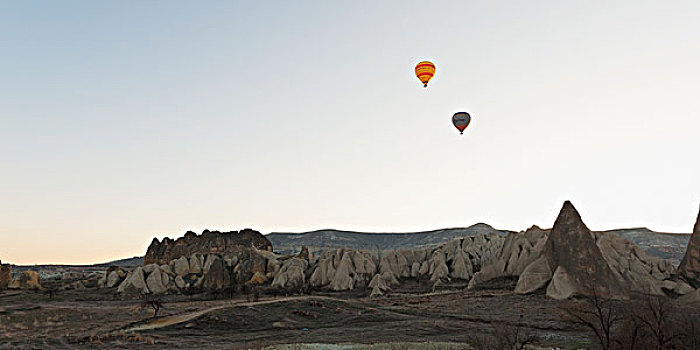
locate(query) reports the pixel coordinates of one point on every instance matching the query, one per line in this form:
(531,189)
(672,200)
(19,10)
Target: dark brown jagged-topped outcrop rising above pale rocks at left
(209,242)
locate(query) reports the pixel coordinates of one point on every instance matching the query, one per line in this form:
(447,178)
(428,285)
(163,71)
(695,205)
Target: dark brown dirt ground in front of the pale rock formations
(99,318)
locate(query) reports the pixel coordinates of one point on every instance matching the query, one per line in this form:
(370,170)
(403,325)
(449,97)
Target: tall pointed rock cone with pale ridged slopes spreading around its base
(570,259)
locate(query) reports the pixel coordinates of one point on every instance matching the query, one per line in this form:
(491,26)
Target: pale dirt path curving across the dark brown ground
(175,319)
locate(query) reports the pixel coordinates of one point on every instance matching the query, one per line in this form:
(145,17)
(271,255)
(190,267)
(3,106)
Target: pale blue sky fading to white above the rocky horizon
(125,120)
